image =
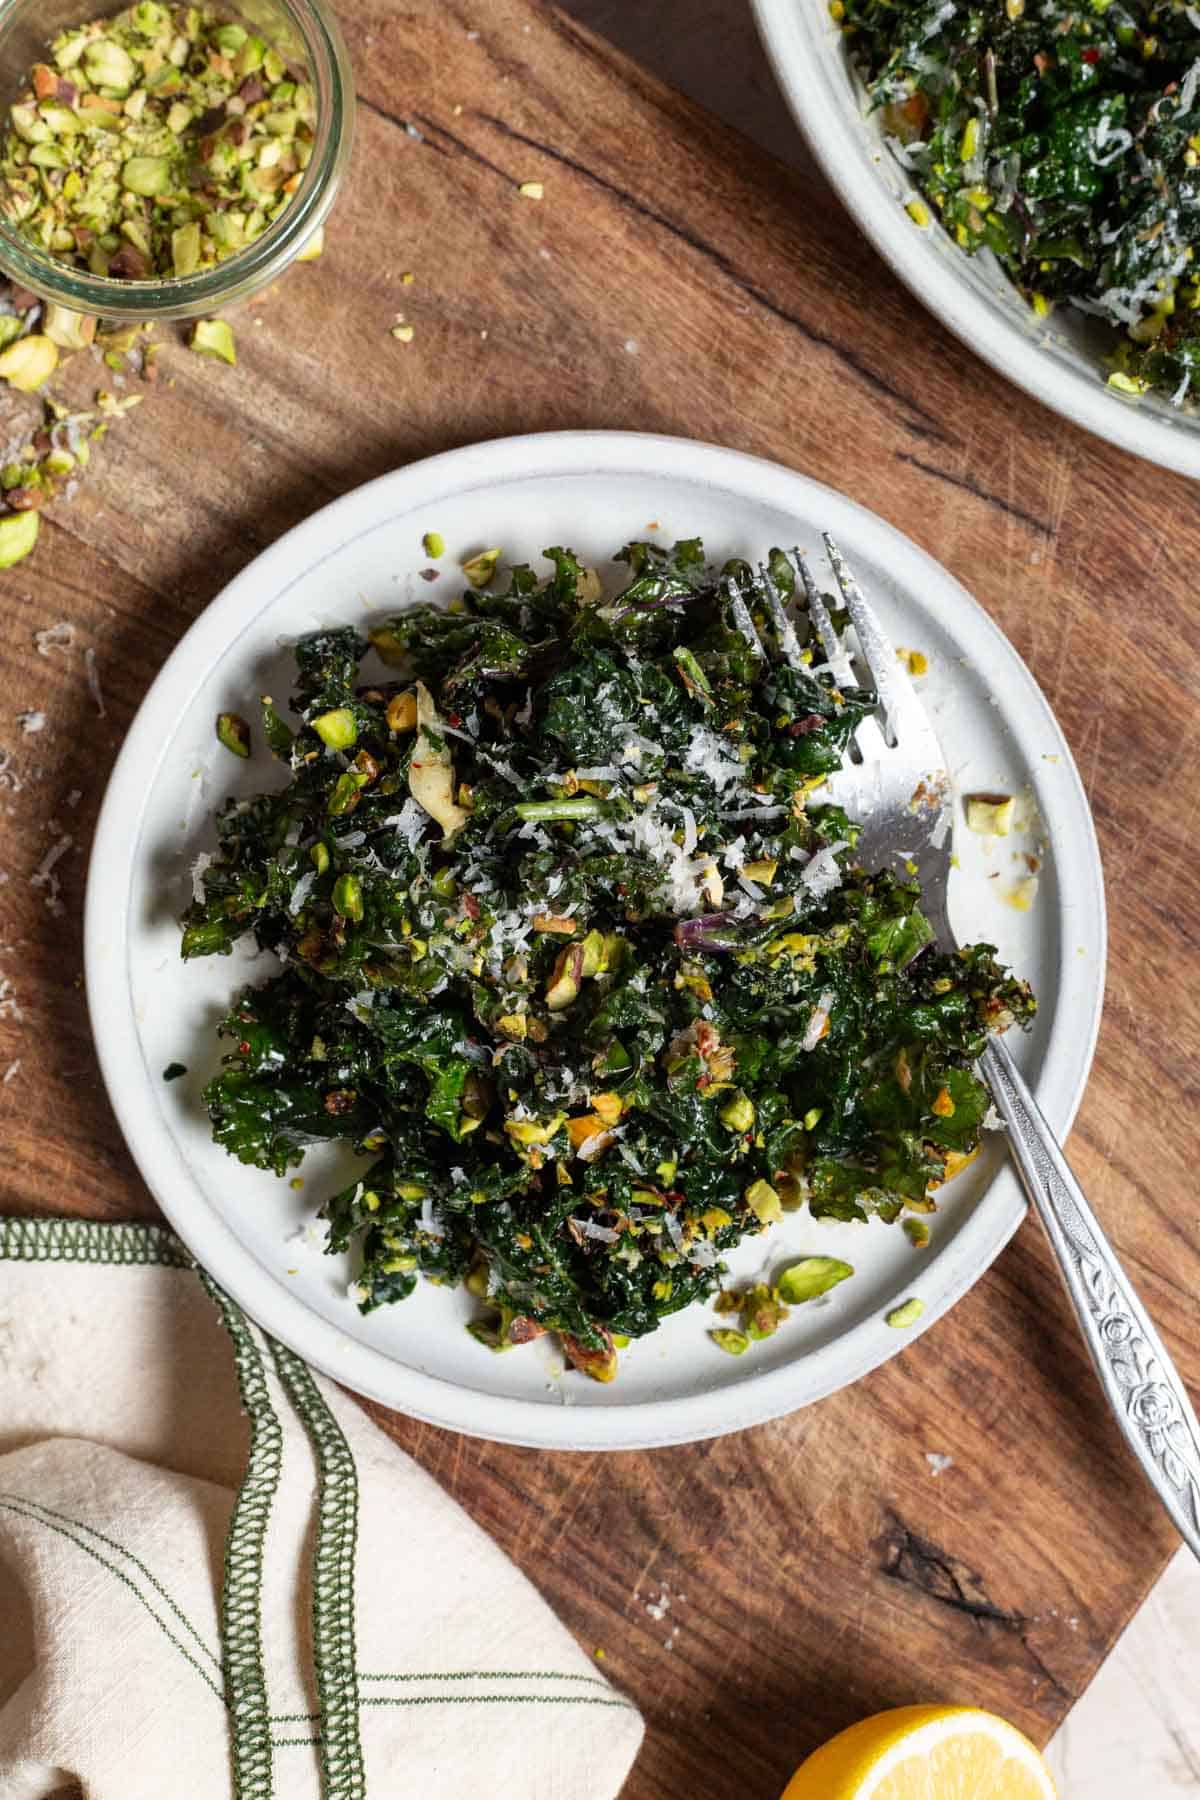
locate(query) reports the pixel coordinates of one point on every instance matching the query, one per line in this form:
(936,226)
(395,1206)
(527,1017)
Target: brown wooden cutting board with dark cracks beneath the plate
(762,1592)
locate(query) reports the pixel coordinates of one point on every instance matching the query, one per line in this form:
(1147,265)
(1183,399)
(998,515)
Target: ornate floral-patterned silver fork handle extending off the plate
(1133,1363)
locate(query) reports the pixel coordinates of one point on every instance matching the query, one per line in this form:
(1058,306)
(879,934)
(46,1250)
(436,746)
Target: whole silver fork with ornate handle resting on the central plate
(902,798)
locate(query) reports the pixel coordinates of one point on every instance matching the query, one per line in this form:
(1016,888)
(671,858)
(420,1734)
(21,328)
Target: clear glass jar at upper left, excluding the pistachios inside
(307,35)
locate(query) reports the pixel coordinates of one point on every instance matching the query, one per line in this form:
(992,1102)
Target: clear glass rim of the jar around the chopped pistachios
(258,264)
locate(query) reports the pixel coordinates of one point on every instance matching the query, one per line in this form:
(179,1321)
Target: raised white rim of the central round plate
(159,1158)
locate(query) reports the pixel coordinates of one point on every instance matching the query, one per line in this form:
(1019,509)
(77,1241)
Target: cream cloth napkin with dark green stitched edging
(219,1578)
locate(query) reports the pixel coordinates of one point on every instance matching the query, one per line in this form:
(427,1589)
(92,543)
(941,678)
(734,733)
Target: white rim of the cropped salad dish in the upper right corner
(909,255)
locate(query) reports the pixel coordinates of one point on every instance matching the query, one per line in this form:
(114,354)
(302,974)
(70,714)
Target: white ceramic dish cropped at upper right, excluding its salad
(1057,361)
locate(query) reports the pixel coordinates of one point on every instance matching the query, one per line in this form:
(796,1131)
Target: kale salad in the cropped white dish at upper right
(1066,139)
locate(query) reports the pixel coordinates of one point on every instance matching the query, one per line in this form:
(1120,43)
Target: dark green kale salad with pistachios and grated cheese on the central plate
(575,951)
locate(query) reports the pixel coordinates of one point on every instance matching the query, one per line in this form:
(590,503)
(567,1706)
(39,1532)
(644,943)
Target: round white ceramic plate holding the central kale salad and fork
(148,1009)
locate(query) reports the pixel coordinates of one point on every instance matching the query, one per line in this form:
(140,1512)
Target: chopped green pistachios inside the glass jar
(156,145)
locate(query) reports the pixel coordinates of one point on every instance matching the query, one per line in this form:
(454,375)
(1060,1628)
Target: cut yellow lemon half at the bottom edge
(926,1754)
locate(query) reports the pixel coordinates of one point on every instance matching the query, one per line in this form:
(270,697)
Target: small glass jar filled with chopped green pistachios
(165,161)
